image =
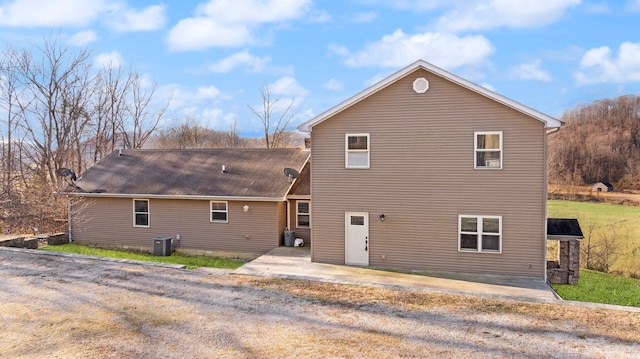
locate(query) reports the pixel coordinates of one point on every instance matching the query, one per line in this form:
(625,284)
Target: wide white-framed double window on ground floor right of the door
(480,234)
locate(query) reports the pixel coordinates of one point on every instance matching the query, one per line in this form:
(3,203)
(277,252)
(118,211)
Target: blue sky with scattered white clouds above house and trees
(213,56)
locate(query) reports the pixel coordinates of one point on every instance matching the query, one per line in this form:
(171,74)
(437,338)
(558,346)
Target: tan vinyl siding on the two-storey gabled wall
(422,177)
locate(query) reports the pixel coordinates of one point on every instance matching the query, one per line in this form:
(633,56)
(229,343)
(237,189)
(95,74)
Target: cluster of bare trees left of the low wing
(58,111)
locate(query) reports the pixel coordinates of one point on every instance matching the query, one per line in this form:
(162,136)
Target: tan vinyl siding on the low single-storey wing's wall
(108,222)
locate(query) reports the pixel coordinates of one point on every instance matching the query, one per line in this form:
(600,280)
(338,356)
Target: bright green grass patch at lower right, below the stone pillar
(597,287)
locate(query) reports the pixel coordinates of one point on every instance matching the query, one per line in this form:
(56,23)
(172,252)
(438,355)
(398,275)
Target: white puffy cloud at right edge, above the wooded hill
(599,65)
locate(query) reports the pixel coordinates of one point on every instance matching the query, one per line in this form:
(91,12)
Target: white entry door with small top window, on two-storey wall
(357,238)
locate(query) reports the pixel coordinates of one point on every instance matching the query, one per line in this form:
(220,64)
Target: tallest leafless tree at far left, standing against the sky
(59,86)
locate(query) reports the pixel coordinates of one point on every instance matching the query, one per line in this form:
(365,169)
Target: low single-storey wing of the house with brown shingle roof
(220,201)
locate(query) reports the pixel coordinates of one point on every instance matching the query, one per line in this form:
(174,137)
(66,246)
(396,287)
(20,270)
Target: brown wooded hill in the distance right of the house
(600,142)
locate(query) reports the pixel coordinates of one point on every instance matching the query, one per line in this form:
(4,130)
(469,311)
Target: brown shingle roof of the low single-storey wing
(255,174)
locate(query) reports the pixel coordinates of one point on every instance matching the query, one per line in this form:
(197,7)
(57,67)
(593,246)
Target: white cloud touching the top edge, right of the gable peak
(490,14)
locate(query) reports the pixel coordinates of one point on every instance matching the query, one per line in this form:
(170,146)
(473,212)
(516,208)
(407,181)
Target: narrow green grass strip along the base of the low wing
(175,258)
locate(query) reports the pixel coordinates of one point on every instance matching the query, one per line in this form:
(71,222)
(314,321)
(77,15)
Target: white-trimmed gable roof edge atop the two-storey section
(549,121)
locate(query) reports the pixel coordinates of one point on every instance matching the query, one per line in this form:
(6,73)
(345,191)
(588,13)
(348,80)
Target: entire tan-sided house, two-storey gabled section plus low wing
(422,171)
